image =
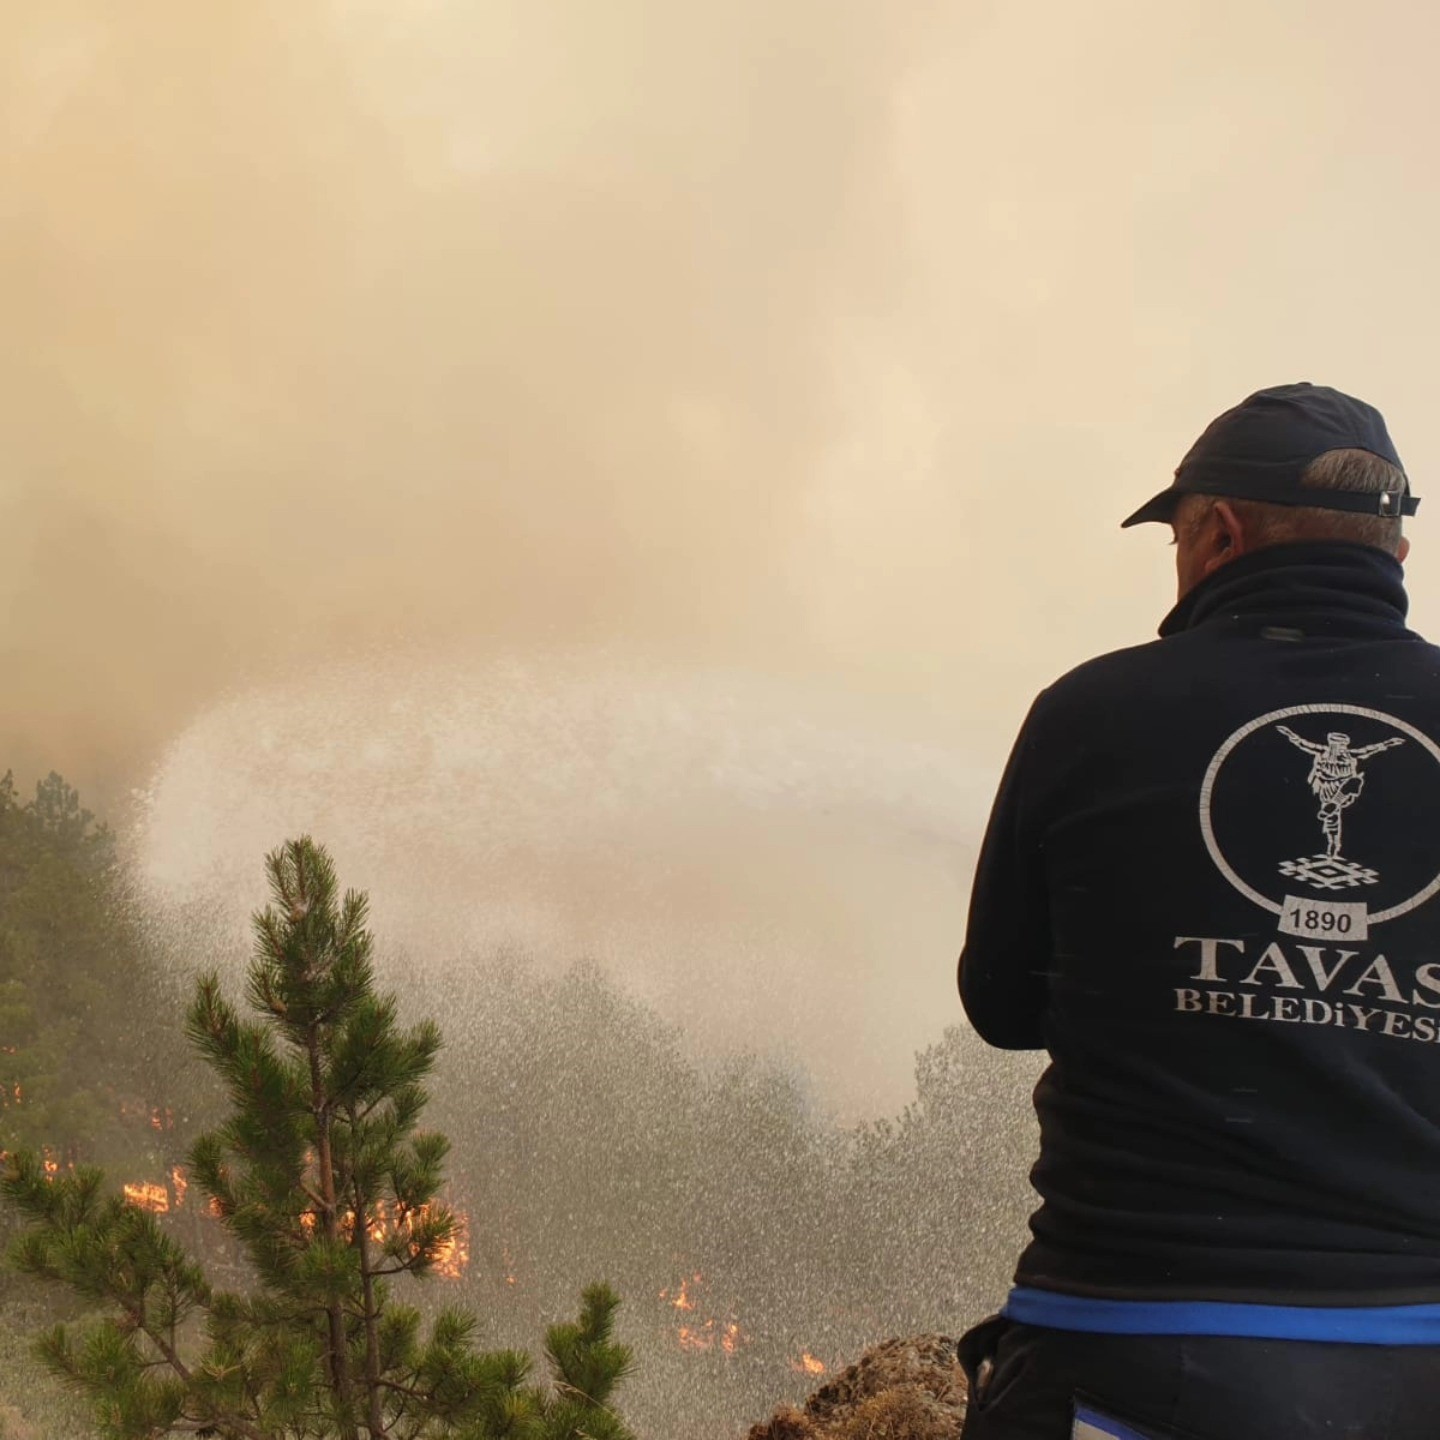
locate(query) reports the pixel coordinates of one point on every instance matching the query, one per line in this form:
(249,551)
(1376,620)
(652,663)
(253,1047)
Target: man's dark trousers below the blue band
(1025,1382)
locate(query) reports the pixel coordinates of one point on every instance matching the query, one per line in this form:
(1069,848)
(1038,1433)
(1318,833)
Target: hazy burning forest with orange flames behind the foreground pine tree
(755,1245)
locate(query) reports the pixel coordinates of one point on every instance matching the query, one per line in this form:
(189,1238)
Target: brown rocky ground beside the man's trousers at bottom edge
(901,1390)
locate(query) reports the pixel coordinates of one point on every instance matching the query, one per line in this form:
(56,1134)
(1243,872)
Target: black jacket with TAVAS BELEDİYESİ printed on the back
(1210,891)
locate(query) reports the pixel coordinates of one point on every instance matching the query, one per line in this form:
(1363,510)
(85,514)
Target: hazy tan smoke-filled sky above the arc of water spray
(822,339)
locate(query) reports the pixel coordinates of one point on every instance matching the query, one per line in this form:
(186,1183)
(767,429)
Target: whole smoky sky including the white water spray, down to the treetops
(626,469)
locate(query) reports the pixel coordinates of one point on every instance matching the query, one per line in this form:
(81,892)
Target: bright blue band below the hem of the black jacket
(1340,1324)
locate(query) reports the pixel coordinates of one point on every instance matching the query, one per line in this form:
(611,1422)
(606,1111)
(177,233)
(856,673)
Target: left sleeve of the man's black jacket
(1006,963)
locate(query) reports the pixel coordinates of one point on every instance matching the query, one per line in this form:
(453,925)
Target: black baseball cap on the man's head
(1261,450)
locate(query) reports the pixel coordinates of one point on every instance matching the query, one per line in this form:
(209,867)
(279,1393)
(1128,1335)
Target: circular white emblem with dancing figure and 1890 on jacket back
(1327,816)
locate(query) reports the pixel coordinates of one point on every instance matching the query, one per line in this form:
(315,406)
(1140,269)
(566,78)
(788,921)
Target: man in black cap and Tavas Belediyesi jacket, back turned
(1210,889)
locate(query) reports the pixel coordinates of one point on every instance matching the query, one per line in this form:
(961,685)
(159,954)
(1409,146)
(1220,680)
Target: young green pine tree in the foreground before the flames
(325,1177)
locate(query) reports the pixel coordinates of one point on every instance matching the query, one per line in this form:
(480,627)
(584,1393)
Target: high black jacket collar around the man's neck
(1321,587)
